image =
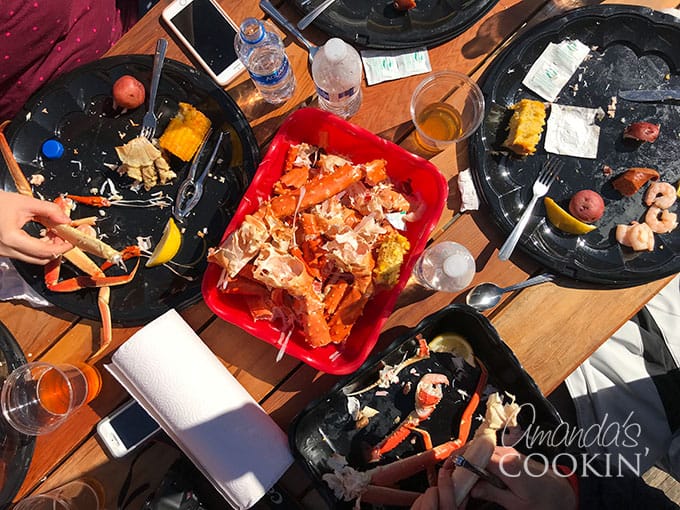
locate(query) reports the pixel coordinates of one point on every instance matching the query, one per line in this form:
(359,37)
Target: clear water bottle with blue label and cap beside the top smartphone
(262,53)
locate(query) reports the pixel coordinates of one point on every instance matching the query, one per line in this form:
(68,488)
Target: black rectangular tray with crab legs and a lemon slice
(325,426)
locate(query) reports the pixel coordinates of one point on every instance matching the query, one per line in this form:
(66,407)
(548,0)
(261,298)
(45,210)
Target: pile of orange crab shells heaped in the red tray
(312,255)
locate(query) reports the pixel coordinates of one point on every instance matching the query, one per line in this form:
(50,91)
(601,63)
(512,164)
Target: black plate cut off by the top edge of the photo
(379,25)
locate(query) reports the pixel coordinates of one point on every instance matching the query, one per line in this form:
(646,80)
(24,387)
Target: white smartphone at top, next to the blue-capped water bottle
(208,34)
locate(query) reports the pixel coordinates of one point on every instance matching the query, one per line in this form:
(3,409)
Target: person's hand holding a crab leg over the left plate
(16,243)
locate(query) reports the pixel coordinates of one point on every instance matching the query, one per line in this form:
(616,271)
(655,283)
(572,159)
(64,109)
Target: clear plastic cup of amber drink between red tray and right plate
(446,108)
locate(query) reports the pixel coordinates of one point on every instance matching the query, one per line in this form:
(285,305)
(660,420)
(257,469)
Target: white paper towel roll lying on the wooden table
(203,408)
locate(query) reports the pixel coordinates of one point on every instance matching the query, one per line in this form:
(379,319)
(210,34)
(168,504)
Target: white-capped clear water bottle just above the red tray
(336,71)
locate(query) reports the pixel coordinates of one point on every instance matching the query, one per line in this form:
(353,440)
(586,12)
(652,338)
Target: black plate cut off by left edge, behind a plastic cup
(16,449)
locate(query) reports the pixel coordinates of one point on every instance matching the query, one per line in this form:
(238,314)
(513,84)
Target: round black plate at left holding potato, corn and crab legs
(76,109)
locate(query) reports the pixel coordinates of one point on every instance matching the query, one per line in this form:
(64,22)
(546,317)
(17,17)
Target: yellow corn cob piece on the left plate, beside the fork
(185,132)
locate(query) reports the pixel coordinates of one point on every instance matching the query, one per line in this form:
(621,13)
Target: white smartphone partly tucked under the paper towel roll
(126,428)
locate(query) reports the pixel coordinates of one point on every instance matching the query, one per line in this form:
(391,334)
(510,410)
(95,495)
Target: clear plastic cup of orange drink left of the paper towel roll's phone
(38,397)
